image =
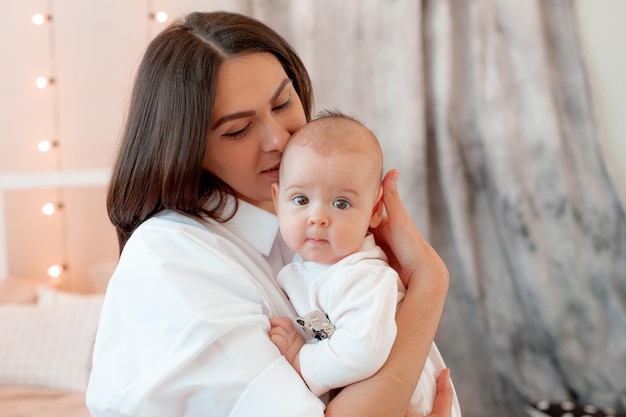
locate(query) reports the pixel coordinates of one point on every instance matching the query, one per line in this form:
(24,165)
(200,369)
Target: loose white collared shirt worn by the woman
(184,324)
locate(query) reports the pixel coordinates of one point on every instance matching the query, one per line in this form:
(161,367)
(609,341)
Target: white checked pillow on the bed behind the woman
(50,343)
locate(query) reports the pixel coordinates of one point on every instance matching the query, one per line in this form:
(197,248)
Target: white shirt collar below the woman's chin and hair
(254,225)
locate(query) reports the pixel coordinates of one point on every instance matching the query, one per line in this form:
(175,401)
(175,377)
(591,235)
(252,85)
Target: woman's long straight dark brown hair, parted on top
(159,163)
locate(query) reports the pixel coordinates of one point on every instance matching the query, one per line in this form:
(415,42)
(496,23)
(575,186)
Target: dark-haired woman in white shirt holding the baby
(184,327)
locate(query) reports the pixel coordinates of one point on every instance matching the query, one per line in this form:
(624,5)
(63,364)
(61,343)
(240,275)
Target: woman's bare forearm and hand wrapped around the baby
(387,393)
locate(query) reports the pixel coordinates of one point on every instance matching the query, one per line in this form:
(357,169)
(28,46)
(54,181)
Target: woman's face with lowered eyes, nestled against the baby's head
(255,112)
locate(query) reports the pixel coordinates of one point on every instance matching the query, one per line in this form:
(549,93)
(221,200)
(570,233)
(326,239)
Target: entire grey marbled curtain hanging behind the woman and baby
(485,107)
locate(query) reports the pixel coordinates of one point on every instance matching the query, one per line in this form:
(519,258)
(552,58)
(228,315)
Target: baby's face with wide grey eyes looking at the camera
(325,204)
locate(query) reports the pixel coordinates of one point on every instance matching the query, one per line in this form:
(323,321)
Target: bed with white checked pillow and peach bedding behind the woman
(46,343)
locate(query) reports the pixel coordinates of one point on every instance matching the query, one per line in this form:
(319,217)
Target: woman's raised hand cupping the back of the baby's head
(409,254)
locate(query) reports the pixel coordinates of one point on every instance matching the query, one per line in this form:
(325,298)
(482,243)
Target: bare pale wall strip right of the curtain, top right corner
(604,38)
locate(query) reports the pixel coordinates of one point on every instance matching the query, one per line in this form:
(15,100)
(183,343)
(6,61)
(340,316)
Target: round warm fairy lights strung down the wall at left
(54,141)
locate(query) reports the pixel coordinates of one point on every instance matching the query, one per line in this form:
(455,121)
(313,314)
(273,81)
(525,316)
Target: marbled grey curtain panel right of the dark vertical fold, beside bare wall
(523,210)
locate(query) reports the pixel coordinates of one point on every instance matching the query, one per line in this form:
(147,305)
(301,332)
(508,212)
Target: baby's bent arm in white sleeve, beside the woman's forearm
(361,304)
